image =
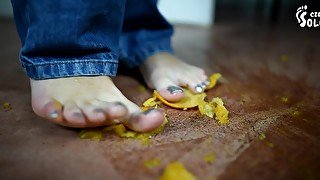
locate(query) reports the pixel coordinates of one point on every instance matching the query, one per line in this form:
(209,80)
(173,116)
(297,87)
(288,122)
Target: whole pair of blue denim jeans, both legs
(64,38)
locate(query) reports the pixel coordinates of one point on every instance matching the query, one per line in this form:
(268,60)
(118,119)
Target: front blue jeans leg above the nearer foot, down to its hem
(63,38)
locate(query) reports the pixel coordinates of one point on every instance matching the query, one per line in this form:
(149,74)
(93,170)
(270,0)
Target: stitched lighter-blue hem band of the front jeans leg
(51,70)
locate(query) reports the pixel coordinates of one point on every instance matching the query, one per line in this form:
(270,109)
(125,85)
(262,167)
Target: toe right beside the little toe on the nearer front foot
(73,115)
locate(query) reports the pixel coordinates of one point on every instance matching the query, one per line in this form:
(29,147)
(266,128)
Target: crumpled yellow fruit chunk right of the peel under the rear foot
(220,111)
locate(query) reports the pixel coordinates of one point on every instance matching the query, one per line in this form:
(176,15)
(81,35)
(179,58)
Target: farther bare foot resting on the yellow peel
(167,74)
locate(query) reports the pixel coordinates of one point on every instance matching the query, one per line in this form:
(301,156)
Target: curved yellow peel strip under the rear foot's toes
(189,101)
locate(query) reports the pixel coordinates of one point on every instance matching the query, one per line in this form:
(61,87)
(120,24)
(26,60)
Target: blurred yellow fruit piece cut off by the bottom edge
(176,171)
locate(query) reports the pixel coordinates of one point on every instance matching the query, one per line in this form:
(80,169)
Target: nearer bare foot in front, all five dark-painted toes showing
(89,102)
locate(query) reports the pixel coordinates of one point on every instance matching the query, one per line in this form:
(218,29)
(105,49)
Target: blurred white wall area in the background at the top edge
(196,12)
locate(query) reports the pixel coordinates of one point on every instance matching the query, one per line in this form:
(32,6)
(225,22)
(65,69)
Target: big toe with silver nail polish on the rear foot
(169,90)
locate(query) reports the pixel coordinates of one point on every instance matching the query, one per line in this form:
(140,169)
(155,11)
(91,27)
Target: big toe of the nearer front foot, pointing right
(145,121)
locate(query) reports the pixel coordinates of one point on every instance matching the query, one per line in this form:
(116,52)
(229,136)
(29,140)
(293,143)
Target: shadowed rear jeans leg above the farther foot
(144,32)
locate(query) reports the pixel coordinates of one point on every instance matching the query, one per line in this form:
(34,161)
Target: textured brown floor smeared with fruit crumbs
(254,81)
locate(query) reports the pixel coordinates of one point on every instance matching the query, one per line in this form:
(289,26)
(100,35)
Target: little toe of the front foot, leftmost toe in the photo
(53,111)
